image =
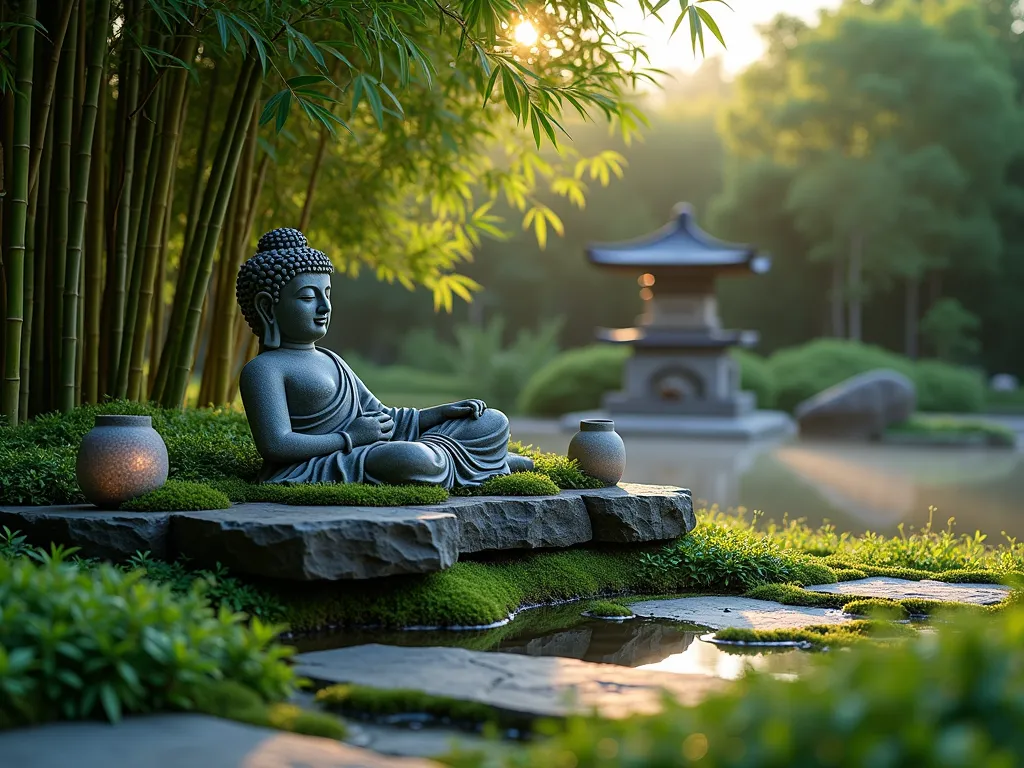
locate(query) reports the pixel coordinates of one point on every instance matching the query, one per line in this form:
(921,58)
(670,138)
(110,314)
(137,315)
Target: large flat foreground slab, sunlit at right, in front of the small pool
(533,687)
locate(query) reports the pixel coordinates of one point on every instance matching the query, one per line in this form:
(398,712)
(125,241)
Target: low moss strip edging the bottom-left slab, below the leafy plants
(229,700)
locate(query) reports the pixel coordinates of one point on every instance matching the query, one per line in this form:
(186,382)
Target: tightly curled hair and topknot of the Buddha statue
(280,257)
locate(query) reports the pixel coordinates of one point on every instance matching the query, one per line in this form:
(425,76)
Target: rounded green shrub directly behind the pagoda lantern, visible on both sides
(578,380)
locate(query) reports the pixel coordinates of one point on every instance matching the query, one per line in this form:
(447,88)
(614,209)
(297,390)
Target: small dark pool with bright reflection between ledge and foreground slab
(562,631)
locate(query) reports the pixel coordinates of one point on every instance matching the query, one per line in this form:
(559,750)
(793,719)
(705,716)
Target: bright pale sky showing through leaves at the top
(739,28)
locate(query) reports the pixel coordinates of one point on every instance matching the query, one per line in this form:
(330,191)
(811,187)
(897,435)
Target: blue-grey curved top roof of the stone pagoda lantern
(679,247)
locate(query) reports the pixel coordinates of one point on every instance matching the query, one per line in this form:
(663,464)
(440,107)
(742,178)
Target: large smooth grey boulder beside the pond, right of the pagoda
(861,408)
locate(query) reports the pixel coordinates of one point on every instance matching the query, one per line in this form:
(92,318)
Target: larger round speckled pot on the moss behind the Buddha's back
(121,458)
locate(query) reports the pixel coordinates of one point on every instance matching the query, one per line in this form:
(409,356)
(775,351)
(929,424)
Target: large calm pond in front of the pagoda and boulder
(857,487)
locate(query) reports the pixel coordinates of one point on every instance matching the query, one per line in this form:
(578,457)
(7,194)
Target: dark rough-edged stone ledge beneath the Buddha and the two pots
(342,543)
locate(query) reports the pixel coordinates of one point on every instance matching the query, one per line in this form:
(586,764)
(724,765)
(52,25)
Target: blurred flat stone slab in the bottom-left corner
(180,741)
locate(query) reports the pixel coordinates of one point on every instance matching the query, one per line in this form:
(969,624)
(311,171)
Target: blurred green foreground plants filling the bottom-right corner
(948,699)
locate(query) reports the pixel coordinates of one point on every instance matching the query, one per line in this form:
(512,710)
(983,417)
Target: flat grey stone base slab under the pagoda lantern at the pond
(756,425)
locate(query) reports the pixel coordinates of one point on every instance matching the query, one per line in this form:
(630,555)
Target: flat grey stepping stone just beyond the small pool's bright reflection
(742,613)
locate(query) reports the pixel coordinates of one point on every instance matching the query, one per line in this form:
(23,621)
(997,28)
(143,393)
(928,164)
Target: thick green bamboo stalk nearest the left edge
(15,267)
